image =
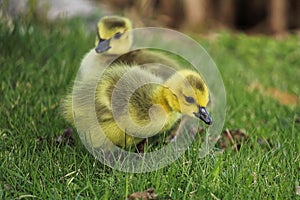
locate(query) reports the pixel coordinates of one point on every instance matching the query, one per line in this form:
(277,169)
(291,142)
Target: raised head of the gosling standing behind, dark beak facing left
(113,36)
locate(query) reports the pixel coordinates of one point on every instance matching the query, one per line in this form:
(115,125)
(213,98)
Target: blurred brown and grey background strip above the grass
(251,16)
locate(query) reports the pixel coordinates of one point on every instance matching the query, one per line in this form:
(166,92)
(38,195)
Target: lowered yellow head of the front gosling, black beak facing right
(187,93)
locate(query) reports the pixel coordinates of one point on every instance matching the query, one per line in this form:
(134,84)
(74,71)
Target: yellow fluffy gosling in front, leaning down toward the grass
(151,109)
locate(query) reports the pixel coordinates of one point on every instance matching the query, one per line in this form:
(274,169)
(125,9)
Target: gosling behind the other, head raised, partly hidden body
(114,39)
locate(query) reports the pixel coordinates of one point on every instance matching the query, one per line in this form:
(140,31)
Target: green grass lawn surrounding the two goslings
(38,63)
